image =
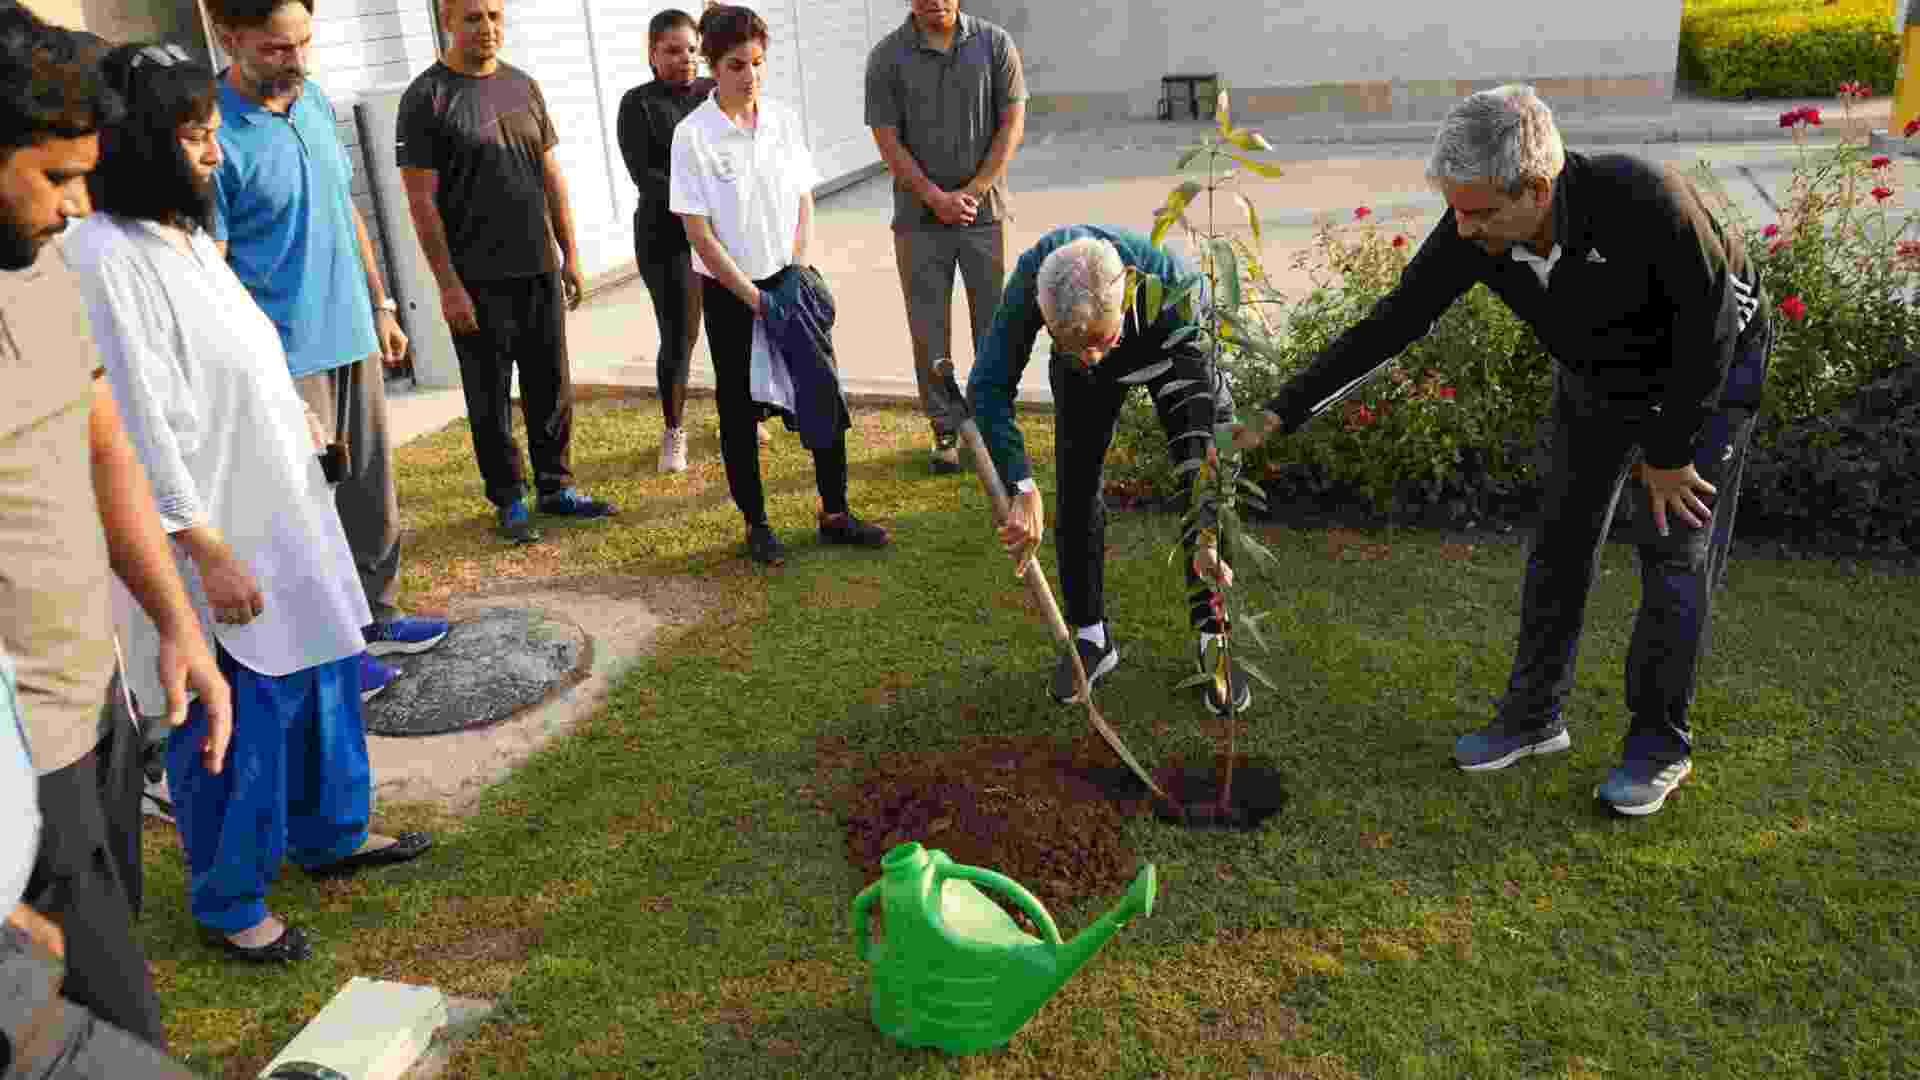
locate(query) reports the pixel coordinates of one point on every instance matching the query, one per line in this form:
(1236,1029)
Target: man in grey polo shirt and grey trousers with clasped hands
(948,103)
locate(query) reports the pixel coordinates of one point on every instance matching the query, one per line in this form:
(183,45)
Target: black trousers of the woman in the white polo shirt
(731,343)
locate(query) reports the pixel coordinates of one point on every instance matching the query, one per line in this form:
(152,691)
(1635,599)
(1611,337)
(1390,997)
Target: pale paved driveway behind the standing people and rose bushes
(1120,176)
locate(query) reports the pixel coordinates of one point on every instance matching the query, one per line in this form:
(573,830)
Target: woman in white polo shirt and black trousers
(742,184)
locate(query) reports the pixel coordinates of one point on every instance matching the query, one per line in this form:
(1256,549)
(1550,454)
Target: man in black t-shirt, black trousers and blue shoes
(489,201)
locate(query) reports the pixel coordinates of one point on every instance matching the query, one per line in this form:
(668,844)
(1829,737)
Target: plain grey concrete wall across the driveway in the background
(1381,59)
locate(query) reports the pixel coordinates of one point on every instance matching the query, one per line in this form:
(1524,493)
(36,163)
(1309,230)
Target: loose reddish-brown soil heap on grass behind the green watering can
(1045,814)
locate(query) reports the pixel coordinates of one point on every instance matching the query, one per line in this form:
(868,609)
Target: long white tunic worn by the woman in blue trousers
(204,391)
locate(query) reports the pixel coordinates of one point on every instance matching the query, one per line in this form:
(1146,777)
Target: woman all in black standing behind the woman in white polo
(646,134)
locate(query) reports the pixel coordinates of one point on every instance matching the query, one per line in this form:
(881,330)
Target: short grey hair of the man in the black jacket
(1504,135)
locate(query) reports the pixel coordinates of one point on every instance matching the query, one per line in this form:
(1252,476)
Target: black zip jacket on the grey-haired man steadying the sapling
(1646,301)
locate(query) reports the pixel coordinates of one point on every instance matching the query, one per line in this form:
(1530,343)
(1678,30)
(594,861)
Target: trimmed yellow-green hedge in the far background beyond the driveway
(1787,49)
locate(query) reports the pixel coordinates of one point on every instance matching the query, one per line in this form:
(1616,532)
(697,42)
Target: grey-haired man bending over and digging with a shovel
(1074,283)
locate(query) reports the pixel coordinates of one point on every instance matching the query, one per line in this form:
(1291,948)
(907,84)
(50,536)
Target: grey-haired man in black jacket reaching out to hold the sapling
(1662,335)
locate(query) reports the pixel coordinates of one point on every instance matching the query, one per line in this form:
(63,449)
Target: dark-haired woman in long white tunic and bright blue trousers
(203,385)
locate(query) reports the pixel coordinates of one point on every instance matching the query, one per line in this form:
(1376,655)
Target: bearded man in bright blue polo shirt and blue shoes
(287,220)
